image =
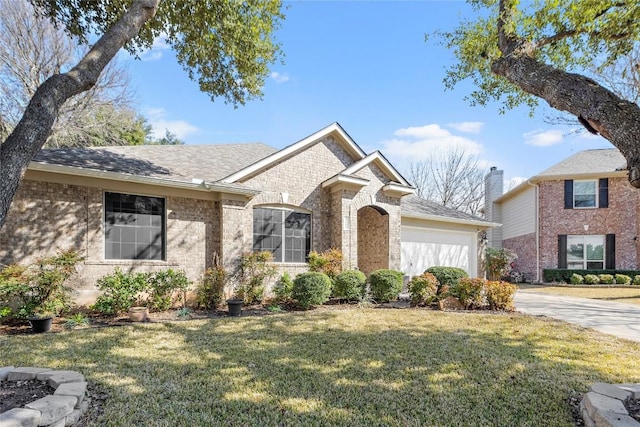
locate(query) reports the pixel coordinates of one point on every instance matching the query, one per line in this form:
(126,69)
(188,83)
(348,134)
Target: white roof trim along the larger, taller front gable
(333,129)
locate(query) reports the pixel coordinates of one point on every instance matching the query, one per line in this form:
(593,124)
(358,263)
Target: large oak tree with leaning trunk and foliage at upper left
(224,45)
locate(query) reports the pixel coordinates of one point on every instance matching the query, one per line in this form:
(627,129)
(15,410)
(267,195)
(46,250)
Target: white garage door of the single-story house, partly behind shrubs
(422,248)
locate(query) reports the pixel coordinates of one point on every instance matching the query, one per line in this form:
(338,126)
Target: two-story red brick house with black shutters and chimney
(581,213)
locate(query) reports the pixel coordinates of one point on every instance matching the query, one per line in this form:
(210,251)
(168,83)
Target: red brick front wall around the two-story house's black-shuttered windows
(620,218)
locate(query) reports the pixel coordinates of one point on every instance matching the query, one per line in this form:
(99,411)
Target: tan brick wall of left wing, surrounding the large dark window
(45,217)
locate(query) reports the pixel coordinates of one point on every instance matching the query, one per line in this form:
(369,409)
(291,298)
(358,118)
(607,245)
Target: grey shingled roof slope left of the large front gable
(177,162)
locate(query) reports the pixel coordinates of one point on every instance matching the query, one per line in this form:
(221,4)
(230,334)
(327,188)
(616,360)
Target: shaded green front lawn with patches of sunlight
(356,367)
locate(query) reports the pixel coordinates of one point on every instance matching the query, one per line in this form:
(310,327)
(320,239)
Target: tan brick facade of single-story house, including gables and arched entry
(46,216)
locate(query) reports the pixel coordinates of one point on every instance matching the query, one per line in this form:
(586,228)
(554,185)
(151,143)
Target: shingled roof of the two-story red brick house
(588,162)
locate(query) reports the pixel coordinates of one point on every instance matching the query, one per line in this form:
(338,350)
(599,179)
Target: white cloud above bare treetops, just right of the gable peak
(421,142)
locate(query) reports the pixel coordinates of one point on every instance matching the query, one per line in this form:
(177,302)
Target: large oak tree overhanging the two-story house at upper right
(518,53)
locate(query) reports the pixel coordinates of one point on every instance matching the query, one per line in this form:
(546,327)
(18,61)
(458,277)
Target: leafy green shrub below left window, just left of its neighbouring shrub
(120,291)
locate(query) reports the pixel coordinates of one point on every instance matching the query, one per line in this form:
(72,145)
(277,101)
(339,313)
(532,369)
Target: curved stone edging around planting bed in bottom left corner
(62,408)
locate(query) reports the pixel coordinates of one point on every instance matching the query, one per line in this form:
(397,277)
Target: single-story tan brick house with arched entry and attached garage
(148,207)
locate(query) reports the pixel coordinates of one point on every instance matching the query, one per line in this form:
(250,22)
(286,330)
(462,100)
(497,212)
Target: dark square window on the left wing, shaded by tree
(134,227)
